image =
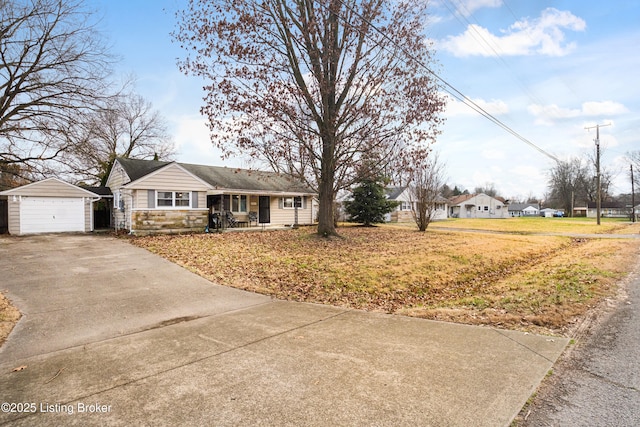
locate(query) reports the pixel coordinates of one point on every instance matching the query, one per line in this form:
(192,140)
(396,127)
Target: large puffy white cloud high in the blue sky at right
(544,35)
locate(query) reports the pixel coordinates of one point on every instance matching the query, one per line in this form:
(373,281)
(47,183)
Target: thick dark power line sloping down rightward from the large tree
(449,88)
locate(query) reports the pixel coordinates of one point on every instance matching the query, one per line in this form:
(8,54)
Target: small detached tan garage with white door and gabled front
(49,206)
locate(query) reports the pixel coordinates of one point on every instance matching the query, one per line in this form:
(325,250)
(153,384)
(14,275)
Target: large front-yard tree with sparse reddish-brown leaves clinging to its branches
(313,86)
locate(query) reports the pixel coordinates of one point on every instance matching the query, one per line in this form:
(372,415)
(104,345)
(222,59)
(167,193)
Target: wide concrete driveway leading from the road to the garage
(113,335)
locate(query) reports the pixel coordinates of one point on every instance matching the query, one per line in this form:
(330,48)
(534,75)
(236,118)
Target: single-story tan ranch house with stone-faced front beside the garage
(157,197)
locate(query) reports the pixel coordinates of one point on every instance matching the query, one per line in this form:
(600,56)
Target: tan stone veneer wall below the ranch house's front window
(169,221)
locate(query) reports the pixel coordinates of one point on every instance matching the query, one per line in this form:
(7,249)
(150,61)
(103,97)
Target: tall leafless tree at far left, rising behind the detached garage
(53,66)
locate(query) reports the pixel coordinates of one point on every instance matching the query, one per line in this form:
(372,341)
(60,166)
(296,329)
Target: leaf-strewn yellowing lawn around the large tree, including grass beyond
(518,281)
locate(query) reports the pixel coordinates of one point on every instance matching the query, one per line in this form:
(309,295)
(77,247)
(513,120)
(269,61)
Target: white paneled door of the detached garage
(51,214)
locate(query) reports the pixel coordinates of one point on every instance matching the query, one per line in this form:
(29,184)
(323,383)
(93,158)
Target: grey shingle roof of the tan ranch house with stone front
(223,177)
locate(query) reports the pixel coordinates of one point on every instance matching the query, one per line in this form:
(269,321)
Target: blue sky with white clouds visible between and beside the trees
(546,69)
